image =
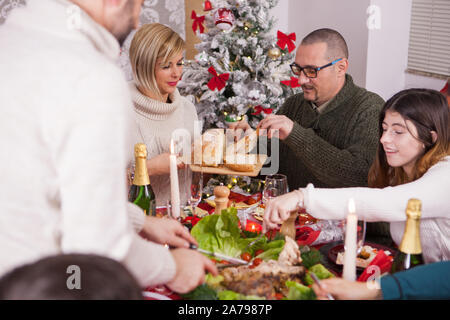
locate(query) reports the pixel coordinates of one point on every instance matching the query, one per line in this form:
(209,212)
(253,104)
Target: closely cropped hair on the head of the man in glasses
(336,45)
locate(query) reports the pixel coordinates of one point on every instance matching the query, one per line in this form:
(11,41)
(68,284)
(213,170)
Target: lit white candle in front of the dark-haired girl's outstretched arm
(349,272)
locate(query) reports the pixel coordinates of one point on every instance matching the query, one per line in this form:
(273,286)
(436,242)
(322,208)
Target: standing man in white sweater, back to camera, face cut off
(65,118)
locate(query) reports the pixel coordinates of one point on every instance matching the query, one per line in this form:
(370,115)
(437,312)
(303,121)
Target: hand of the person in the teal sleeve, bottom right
(347,290)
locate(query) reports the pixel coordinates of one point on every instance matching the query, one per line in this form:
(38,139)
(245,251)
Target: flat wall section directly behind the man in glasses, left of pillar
(348,17)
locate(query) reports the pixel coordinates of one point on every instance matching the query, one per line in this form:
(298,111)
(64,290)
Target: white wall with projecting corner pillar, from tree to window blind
(378,57)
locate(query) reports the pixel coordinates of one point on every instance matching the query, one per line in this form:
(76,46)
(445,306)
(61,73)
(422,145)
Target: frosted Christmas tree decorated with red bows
(241,68)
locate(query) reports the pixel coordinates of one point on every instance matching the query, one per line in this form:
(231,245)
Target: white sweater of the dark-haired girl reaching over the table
(389,204)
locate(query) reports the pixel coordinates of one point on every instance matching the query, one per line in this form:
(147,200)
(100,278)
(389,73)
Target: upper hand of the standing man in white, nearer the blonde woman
(167,231)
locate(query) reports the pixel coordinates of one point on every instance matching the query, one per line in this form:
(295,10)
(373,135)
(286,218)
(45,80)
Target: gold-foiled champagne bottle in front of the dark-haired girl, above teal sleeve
(409,254)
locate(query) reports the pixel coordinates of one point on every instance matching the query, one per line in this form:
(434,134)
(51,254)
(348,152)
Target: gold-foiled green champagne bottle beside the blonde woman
(141,192)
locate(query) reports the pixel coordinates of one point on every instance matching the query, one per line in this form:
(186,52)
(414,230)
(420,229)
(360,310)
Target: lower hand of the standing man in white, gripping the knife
(191,268)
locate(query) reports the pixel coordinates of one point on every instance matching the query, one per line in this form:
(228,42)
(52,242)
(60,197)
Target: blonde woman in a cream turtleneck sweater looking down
(156,56)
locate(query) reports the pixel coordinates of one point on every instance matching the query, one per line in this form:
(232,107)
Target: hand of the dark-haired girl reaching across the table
(279,209)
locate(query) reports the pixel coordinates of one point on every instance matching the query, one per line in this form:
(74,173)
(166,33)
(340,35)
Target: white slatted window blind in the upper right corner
(429,42)
